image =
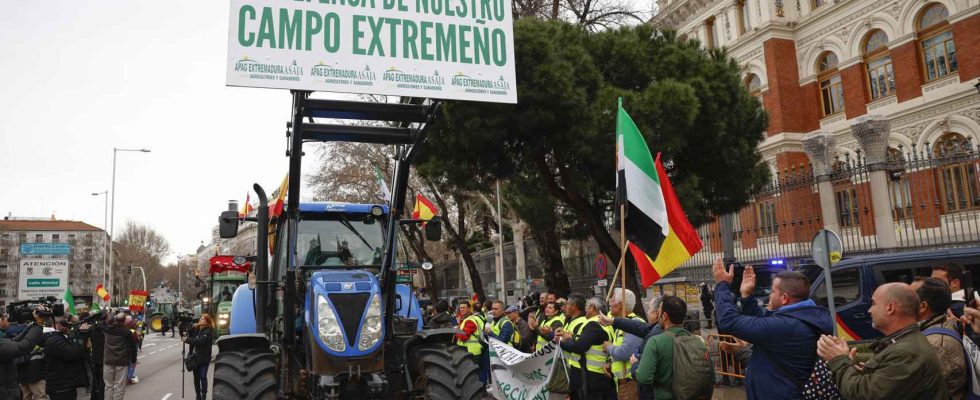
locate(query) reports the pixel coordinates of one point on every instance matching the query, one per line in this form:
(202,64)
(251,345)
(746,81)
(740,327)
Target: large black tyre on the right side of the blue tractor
(446,371)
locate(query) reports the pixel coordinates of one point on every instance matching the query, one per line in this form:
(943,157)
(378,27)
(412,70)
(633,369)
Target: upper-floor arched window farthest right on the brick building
(938,50)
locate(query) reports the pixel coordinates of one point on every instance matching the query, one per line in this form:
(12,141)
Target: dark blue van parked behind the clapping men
(855,279)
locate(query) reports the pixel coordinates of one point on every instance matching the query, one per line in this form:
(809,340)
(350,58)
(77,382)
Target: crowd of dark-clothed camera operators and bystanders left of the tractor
(53,357)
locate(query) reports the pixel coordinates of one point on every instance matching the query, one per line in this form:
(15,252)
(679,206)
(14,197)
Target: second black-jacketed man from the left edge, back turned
(64,363)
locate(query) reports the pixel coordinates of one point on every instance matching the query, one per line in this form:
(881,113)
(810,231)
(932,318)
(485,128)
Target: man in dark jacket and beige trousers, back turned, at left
(120,351)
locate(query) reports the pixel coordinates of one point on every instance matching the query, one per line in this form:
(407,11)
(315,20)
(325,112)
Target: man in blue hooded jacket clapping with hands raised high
(784,337)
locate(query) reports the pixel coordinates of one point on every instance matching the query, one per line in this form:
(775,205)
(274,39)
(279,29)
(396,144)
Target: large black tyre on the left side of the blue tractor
(248,373)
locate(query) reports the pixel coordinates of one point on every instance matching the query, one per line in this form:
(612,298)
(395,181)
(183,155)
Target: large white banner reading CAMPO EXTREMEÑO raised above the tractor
(445,49)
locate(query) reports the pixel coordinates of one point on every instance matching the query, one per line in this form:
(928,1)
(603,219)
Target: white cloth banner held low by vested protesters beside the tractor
(521,376)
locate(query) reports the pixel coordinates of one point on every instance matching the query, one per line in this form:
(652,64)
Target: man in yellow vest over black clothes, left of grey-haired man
(582,337)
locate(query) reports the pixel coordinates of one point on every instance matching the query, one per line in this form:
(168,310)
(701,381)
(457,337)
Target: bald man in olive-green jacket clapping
(904,365)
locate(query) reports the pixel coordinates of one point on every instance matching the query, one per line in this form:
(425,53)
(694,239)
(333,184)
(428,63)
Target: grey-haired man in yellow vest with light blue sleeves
(623,344)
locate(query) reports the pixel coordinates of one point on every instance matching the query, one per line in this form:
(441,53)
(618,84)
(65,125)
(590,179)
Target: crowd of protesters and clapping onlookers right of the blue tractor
(788,346)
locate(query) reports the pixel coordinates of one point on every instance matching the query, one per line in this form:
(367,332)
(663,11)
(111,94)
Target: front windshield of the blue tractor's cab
(342,240)
